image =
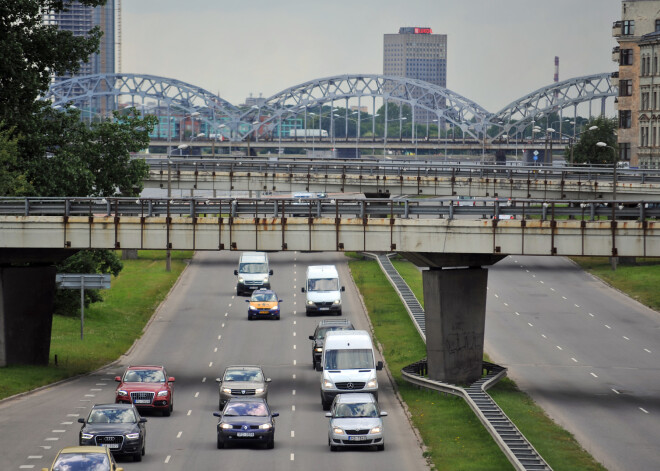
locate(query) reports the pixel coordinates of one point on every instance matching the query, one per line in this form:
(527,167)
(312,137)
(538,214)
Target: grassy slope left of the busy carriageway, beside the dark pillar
(111,327)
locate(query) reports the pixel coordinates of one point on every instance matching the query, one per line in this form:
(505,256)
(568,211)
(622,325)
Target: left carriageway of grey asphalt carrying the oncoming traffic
(201,328)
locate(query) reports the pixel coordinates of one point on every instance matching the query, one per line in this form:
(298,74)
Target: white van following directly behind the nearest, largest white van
(323,292)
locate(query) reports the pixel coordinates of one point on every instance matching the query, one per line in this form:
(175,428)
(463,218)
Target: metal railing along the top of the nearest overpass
(405,208)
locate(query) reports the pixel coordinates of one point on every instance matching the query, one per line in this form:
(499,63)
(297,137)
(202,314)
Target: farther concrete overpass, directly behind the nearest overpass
(397,178)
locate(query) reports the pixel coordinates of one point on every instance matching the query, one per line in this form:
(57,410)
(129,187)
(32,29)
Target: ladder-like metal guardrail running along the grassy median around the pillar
(522,455)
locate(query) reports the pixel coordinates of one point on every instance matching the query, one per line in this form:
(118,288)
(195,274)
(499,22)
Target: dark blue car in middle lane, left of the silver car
(246,421)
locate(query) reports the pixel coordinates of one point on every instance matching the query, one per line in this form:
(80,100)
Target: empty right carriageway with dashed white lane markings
(589,355)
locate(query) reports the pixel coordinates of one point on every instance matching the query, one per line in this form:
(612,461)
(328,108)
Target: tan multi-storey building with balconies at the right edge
(638,35)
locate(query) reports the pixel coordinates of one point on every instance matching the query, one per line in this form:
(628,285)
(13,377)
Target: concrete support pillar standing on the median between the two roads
(455,305)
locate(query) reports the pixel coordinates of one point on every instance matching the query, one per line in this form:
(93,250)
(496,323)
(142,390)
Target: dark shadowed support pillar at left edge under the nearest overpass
(26,314)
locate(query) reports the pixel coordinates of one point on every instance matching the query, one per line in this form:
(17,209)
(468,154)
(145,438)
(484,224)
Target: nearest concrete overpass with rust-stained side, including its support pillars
(432,233)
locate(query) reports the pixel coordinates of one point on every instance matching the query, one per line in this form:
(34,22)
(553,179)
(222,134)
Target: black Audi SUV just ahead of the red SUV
(117,426)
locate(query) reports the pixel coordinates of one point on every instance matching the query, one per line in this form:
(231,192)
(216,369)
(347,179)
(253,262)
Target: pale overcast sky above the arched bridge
(498,50)
